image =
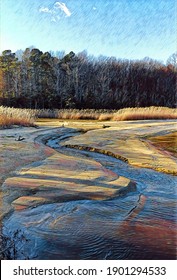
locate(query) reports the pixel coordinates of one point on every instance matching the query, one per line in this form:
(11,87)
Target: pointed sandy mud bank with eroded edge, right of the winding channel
(129,143)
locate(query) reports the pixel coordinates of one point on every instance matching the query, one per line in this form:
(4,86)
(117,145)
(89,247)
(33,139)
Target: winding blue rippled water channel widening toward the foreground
(137,225)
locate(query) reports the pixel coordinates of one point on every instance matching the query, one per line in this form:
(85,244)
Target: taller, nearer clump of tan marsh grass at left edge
(12,116)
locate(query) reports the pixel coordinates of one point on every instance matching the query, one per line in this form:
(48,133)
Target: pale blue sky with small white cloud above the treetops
(126,29)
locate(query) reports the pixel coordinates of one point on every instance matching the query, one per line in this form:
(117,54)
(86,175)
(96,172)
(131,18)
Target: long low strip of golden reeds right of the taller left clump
(108,115)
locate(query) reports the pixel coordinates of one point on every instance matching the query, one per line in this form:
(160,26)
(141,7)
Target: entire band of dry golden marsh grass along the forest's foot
(26,117)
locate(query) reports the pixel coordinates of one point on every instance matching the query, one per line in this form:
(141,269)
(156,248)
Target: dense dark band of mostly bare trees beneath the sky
(38,80)
